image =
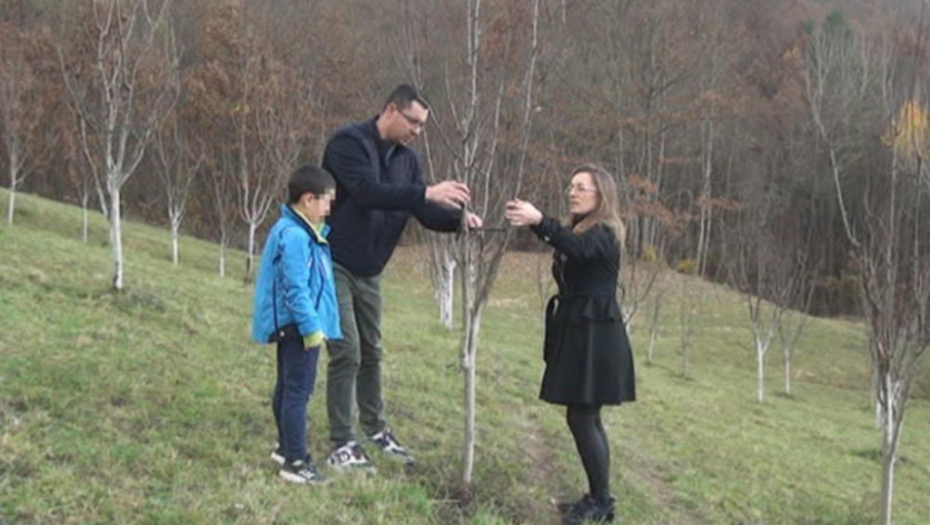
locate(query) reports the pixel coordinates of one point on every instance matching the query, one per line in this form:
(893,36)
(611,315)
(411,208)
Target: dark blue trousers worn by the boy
(296,379)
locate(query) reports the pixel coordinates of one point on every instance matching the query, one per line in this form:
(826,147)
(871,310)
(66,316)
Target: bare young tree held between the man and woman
(487,146)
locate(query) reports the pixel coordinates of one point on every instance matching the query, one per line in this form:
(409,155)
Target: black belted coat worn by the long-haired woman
(587,352)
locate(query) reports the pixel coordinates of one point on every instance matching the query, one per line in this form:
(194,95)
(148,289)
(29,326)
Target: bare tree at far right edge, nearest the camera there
(888,240)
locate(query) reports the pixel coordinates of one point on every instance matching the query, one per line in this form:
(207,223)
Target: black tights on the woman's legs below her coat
(591,440)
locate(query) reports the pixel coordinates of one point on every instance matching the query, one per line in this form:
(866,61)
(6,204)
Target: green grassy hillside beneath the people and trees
(152,406)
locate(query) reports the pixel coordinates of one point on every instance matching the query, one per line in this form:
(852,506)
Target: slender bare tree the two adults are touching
(478,135)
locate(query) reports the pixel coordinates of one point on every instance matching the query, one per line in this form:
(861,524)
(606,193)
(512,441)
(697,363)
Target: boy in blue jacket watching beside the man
(295,308)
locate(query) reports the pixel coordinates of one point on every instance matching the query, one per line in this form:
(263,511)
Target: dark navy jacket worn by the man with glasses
(378,186)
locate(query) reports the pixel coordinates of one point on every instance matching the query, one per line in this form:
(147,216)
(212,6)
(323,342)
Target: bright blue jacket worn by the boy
(295,281)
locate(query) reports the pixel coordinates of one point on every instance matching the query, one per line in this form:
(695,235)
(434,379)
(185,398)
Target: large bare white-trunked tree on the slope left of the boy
(131,86)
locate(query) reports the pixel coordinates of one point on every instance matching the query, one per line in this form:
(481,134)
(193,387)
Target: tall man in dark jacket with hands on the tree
(379,185)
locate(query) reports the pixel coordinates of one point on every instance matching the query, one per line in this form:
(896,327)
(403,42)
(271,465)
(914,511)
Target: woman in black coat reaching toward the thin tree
(589,362)
